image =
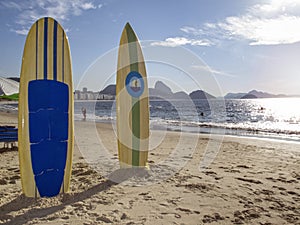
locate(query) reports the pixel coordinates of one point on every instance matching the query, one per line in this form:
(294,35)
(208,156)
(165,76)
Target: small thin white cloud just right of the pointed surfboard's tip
(180,41)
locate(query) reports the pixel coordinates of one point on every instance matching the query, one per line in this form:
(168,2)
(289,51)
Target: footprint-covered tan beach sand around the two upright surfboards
(250,181)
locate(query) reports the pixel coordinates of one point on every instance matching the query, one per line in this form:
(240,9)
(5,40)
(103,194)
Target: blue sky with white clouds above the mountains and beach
(219,46)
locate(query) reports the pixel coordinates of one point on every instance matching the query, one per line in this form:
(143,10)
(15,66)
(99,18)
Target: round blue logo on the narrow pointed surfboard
(134,84)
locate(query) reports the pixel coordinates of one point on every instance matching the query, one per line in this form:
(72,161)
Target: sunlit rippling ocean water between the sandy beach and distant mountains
(276,118)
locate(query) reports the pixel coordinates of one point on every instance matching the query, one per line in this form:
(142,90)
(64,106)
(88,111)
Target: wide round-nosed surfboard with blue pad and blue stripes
(45,128)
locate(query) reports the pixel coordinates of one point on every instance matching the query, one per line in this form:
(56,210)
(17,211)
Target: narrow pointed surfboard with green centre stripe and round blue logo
(132,102)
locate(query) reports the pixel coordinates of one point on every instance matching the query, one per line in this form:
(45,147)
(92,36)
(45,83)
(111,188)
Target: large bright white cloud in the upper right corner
(274,23)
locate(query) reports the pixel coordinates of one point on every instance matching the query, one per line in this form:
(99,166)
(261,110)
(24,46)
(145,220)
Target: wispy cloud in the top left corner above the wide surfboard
(31,10)
